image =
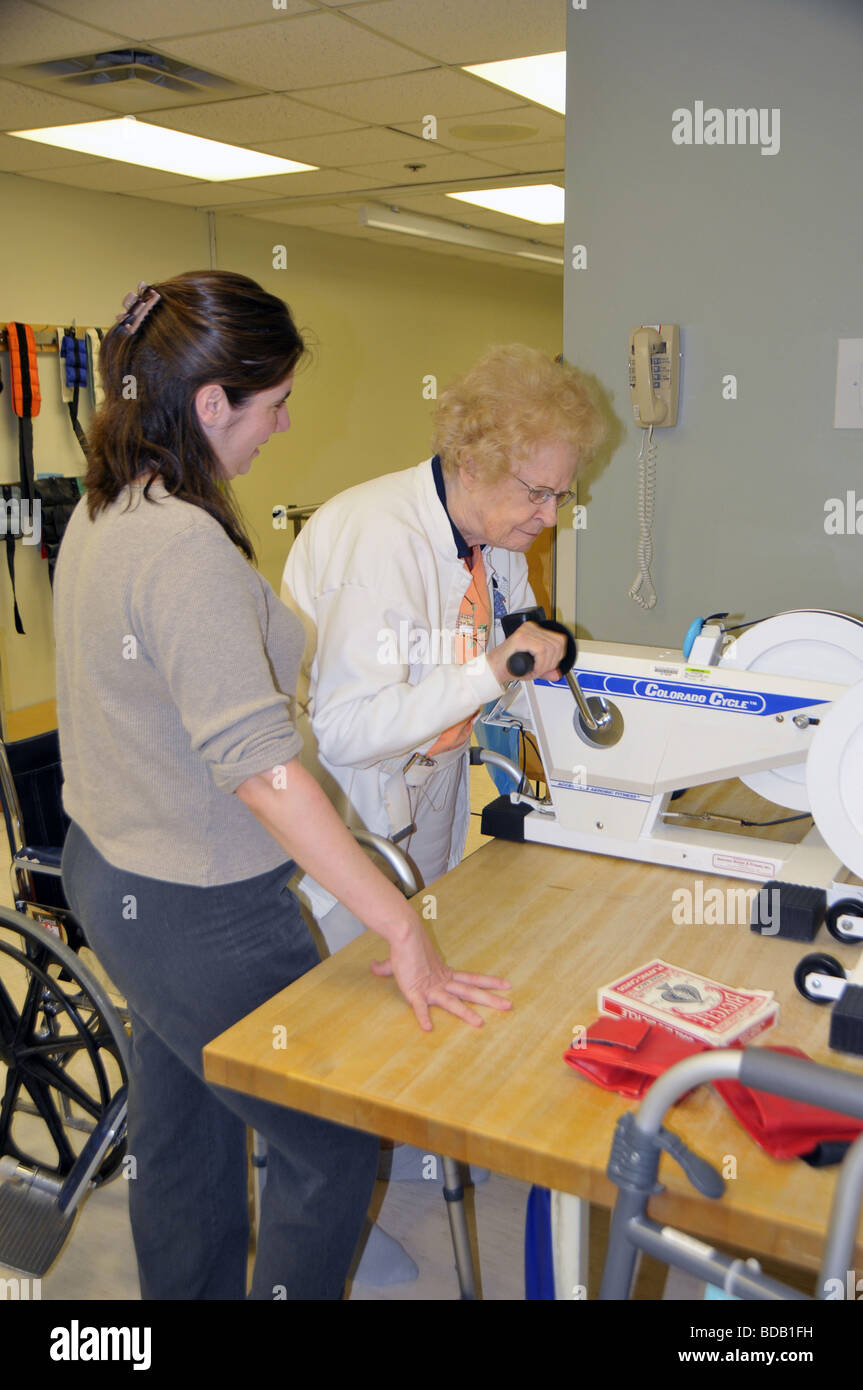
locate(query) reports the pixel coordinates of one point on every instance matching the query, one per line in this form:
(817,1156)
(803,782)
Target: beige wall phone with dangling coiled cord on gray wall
(654,386)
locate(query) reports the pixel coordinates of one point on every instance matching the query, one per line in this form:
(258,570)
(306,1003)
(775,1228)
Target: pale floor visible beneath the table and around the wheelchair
(99,1261)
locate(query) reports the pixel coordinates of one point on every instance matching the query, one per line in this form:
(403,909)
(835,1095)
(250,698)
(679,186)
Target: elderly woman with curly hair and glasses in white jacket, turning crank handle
(402,583)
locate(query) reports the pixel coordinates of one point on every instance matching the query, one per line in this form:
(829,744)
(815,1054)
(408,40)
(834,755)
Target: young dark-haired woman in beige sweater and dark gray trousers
(176,676)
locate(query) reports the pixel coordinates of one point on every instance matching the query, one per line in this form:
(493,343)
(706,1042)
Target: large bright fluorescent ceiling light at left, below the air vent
(138,142)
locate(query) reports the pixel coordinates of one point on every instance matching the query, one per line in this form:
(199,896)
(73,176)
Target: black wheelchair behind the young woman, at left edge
(63,1043)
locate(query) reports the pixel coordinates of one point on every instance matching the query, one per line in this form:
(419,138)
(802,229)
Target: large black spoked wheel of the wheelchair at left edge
(63,1052)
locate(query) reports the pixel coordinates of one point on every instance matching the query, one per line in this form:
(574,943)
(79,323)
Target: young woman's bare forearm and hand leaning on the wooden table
(302,819)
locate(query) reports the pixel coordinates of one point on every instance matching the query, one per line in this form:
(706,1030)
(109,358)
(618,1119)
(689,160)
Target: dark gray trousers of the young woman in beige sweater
(191,963)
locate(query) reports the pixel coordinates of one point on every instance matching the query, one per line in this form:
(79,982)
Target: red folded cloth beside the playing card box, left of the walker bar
(627,1056)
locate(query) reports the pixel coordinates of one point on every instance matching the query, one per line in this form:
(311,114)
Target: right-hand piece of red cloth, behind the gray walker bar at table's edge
(786,1129)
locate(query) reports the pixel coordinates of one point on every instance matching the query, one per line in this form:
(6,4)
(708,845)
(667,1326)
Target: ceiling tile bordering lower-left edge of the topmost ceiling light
(408,98)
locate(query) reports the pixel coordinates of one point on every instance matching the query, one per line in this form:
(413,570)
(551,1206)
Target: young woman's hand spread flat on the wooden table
(425,979)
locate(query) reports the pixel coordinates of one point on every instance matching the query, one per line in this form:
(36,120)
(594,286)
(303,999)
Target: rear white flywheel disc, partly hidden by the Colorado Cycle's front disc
(811,644)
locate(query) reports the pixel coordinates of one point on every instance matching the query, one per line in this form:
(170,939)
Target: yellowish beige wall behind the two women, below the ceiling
(383,319)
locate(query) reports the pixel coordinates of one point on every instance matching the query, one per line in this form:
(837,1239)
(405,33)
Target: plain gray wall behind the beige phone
(759,259)
